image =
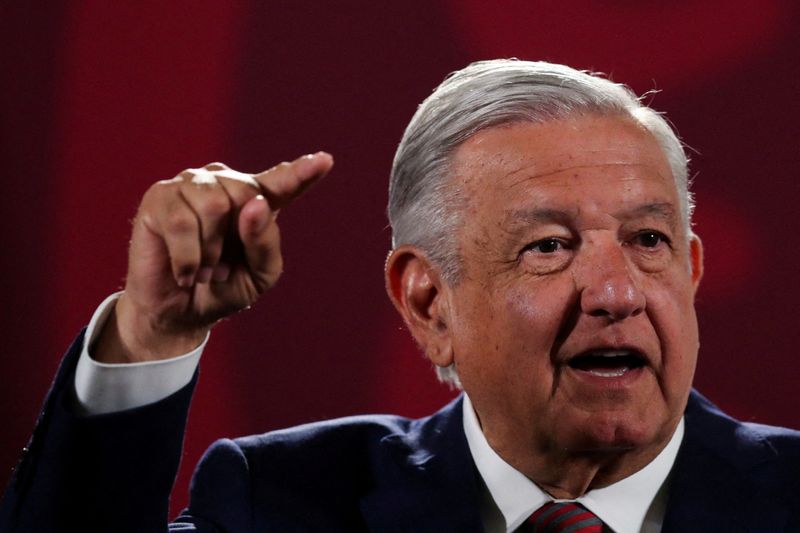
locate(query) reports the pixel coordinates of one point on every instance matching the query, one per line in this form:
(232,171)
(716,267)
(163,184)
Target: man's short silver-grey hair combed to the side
(423,207)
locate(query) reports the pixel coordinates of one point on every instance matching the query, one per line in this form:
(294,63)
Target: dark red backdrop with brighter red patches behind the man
(99,99)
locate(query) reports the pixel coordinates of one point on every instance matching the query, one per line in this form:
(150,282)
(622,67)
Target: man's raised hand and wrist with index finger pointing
(205,244)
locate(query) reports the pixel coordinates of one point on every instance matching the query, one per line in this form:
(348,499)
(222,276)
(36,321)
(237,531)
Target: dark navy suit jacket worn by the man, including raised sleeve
(371,473)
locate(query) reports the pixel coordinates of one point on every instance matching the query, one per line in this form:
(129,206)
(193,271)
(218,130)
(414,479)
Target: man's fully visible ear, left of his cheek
(419,294)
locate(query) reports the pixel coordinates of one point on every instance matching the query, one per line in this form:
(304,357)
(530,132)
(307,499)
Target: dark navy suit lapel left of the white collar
(431,482)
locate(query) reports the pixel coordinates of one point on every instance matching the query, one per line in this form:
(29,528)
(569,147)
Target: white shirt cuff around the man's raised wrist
(107,388)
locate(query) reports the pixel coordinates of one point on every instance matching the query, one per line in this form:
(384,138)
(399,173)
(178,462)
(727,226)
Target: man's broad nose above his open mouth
(606,285)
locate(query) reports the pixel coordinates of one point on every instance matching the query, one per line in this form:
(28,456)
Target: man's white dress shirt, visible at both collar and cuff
(634,505)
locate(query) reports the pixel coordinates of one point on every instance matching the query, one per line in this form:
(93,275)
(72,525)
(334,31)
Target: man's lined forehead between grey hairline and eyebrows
(587,161)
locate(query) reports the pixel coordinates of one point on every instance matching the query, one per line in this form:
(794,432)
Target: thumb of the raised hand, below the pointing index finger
(259,234)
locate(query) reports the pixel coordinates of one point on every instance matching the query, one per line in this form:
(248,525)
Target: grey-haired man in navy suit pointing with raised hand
(543,260)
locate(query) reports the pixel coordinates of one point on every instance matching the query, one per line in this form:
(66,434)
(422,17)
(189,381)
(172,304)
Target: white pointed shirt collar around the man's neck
(622,506)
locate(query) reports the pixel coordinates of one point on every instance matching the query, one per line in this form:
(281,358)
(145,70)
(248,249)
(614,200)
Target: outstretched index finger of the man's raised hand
(285,182)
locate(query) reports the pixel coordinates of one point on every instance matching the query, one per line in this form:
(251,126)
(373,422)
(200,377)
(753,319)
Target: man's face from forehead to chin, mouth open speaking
(573,326)
